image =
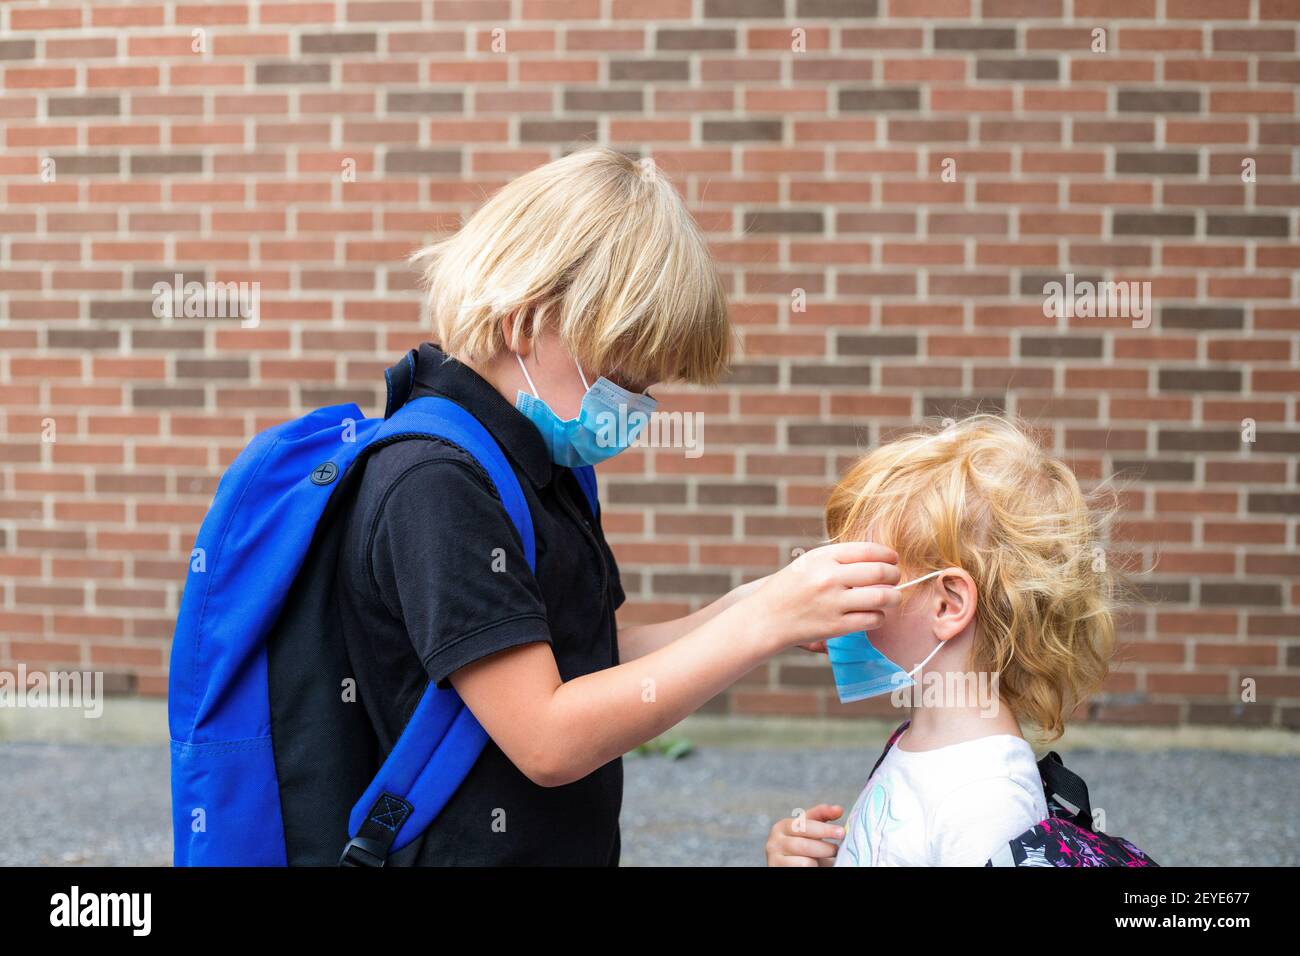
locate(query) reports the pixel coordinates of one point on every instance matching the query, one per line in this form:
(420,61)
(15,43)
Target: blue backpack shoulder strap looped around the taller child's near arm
(443,739)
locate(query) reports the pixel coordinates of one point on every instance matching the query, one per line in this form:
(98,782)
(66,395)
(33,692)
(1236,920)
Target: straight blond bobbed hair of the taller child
(599,248)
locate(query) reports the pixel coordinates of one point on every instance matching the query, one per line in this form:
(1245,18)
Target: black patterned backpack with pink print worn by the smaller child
(1067,838)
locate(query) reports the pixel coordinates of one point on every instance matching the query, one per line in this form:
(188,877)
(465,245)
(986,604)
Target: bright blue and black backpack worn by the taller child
(272,765)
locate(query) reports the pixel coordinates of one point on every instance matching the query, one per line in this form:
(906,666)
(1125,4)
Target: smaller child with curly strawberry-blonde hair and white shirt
(1009,611)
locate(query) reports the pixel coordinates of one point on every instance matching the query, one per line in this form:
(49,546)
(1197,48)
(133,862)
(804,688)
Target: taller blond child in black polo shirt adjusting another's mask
(557,306)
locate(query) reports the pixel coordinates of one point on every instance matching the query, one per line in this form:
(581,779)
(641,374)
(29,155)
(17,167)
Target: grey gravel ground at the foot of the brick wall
(109,806)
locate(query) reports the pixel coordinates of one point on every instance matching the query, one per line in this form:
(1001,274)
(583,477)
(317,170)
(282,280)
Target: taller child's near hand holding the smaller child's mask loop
(827,592)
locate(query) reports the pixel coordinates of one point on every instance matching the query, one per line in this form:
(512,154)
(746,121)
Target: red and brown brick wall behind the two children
(818,171)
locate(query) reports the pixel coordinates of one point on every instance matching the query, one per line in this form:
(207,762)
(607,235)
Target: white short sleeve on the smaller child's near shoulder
(973,821)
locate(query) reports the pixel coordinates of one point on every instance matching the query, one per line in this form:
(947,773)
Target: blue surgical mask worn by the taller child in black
(606,425)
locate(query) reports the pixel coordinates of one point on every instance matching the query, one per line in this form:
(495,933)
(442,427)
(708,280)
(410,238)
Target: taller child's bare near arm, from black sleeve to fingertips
(558,732)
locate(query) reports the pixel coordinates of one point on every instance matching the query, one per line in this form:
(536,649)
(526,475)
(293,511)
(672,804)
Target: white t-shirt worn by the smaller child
(950,807)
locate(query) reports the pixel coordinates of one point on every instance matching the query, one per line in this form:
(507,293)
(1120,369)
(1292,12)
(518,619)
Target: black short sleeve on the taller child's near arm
(448,563)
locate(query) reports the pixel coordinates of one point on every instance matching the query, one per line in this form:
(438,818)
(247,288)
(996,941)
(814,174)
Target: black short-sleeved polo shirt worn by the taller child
(432,577)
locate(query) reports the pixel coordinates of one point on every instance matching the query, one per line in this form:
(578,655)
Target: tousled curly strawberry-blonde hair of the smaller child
(982,496)
